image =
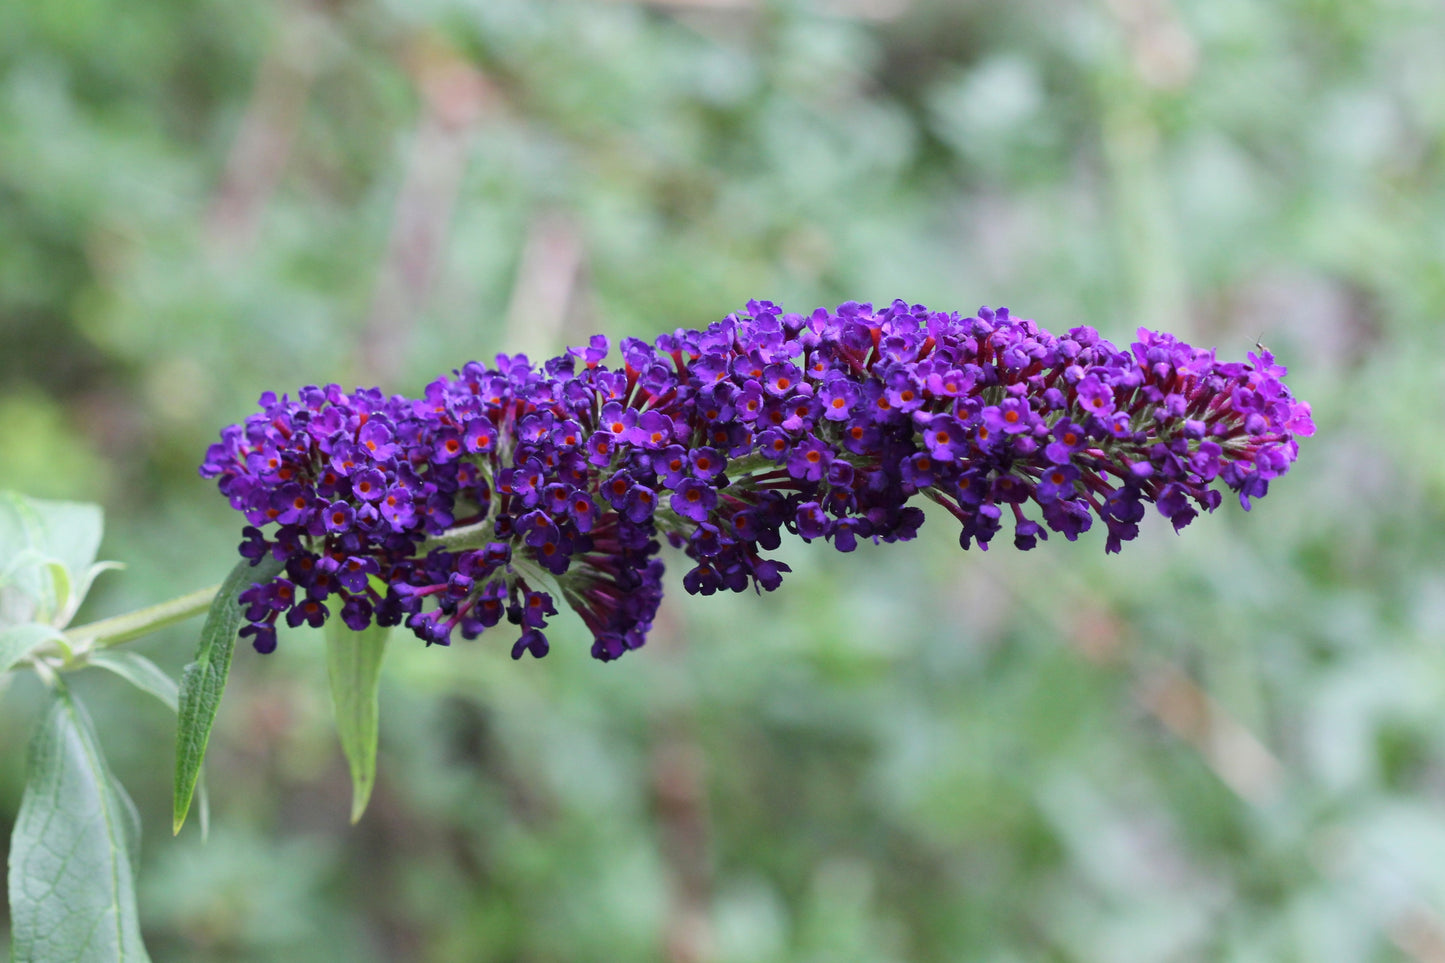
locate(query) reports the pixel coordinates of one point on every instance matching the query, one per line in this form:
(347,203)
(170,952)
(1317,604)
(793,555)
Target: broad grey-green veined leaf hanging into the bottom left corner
(73,877)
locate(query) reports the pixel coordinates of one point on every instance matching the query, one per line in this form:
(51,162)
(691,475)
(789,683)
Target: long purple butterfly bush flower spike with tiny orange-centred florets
(506,491)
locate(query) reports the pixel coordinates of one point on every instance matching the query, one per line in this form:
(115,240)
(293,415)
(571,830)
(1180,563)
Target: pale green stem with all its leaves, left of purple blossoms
(77,838)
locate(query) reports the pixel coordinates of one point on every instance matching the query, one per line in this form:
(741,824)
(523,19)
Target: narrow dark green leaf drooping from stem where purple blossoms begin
(204,680)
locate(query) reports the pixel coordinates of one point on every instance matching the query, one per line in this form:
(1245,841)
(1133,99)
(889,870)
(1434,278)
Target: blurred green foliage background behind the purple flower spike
(1228,745)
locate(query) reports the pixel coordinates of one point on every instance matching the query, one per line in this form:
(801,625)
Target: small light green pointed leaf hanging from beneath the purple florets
(355,666)
